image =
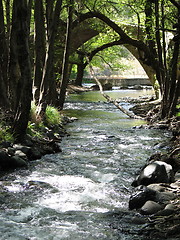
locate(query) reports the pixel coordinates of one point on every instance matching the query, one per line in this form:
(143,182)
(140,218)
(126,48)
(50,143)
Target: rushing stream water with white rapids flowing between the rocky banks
(83,192)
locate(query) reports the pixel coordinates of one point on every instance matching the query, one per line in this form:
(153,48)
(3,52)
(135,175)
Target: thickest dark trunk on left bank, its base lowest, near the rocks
(23,87)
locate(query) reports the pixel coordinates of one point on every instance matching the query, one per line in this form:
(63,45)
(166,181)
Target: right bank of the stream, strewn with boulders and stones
(158,202)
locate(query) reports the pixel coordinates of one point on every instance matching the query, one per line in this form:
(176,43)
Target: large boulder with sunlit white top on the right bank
(155,172)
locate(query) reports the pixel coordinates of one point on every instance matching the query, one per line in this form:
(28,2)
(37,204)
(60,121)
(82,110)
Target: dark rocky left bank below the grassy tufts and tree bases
(15,155)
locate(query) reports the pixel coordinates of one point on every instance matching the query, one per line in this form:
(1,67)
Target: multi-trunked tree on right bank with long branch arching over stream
(151,53)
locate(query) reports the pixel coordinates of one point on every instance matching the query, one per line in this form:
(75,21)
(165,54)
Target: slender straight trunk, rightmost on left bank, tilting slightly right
(64,81)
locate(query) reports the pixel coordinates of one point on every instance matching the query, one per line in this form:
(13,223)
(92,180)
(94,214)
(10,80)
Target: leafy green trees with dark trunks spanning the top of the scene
(42,40)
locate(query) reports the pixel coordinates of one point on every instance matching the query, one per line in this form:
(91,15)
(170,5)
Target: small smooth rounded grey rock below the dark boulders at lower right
(150,207)
